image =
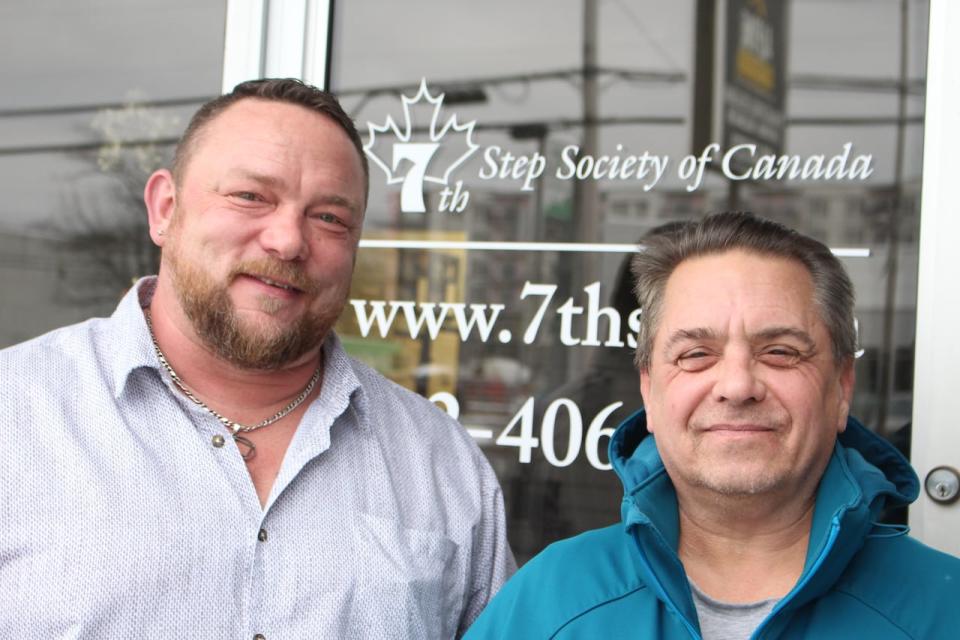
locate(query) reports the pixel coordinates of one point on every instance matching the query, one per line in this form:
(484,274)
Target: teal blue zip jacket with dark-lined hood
(860,580)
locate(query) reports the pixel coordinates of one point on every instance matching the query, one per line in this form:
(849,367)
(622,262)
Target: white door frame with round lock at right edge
(936,396)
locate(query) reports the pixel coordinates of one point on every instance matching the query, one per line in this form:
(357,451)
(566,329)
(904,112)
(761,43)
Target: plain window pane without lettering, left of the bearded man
(97,92)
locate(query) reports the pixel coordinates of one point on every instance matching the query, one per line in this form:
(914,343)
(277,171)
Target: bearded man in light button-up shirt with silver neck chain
(208,462)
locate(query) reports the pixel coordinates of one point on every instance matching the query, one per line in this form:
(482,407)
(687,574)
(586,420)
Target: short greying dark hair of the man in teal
(719,233)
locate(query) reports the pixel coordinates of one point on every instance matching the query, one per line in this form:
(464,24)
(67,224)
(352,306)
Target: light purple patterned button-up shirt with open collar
(120,518)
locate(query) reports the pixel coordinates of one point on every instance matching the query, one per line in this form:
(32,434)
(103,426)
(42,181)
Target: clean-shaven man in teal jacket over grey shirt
(752,511)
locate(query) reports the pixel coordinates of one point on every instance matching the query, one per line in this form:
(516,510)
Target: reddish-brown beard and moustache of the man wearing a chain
(208,306)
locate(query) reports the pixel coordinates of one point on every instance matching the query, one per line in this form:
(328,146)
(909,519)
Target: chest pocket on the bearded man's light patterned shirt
(408,584)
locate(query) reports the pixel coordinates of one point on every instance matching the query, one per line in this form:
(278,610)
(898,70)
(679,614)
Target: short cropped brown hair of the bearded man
(288,90)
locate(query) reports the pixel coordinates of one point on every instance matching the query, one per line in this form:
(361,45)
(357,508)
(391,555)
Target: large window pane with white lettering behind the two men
(545,367)
